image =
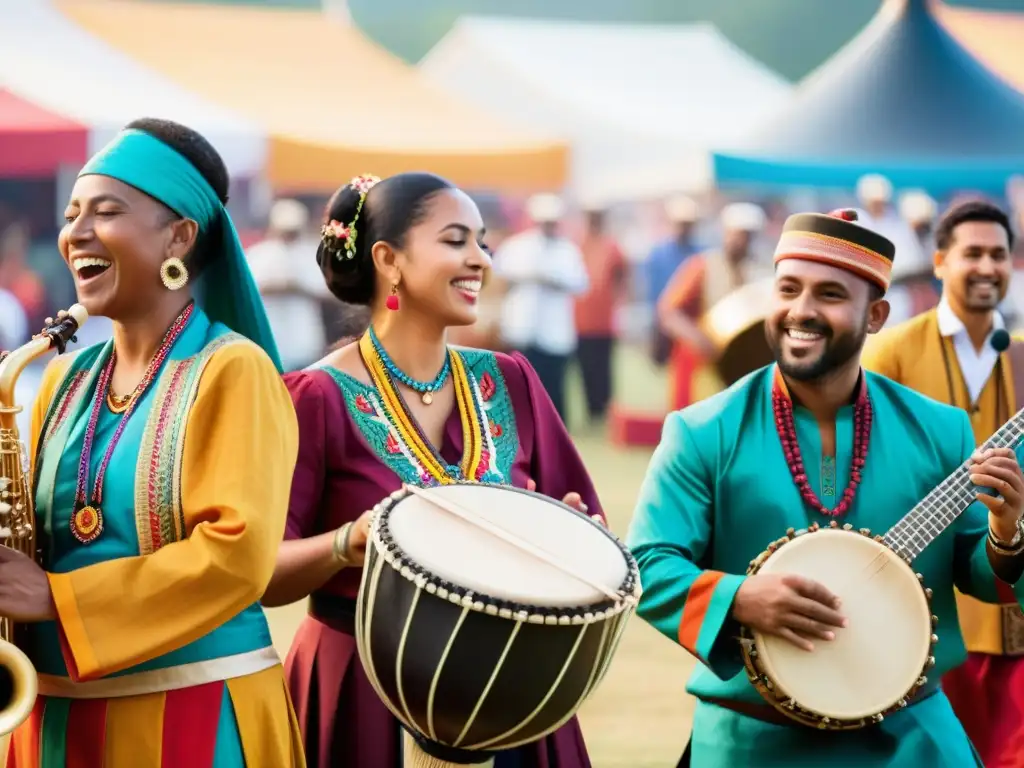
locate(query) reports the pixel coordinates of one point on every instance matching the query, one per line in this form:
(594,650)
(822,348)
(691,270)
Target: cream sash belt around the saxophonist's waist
(158,681)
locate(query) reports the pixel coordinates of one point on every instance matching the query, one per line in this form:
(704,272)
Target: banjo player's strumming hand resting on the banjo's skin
(790,607)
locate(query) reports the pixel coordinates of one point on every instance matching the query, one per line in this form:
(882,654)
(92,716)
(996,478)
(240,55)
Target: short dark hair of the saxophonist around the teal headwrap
(198,151)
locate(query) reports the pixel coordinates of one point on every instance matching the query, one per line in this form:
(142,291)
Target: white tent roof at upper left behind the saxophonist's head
(50,61)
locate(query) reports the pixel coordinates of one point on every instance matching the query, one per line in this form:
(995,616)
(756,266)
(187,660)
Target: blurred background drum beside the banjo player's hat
(736,325)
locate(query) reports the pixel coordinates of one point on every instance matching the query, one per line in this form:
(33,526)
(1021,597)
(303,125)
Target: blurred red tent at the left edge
(37,143)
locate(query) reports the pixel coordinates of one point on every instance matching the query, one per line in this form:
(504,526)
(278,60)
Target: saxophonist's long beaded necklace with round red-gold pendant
(88,517)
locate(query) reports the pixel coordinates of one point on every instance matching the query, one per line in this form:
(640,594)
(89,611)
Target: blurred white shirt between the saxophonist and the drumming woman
(295,318)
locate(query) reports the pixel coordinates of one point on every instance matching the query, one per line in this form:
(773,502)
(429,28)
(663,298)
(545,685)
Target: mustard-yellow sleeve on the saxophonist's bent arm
(240,453)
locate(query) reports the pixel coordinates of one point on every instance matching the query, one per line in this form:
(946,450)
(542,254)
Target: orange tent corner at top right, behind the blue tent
(996,39)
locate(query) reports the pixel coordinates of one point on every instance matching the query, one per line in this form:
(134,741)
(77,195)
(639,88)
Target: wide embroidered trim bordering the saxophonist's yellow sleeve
(159,510)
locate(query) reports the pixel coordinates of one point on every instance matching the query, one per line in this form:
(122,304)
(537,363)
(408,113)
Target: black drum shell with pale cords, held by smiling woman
(441,666)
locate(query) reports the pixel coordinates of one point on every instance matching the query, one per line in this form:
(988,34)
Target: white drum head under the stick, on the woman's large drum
(473,559)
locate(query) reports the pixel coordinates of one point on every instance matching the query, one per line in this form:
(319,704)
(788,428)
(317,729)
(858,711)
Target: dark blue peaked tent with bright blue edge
(904,99)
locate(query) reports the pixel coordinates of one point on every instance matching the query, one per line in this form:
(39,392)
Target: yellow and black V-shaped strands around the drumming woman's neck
(479,454)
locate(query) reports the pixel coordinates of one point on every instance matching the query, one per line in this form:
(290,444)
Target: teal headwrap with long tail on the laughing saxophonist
(226,289)
